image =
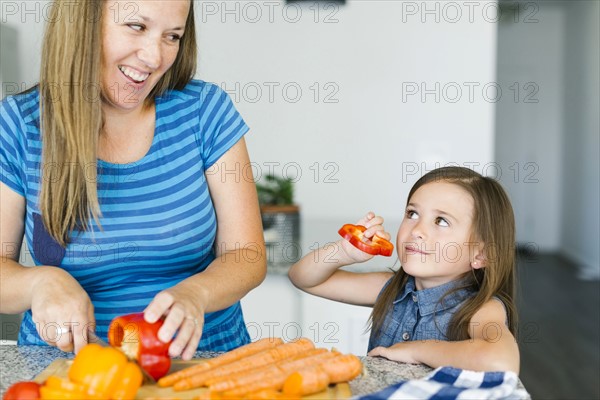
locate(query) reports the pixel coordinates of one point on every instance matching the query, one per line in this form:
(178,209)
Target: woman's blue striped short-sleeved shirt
(158,221)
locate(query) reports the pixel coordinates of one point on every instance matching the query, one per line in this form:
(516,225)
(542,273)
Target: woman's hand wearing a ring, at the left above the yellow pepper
(61,309)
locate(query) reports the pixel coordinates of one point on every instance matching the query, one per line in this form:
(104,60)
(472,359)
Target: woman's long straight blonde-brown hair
(71,111)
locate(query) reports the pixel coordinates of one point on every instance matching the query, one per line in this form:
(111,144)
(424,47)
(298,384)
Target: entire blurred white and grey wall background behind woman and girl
(357,100)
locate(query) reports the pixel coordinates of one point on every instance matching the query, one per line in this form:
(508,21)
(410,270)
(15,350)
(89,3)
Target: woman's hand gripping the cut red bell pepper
(183,315)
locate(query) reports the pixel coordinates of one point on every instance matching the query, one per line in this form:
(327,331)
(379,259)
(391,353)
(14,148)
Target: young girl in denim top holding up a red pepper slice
(452,301)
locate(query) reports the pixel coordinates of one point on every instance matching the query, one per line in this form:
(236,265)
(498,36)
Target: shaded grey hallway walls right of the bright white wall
(555,46)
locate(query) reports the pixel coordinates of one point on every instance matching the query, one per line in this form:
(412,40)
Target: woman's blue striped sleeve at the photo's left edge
(12,166)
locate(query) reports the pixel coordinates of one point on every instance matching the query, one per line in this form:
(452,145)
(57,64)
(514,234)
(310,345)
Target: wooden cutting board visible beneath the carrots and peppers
(60,367)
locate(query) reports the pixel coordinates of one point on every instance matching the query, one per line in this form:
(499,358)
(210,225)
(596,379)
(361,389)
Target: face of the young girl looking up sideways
(434,239)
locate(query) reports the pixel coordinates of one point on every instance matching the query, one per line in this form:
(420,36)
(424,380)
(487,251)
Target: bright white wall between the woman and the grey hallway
(371,134)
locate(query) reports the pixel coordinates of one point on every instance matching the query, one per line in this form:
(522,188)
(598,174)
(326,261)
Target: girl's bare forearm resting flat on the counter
(472,354)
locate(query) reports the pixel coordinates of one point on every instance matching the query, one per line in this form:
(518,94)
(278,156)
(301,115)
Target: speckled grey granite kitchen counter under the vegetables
(20,363)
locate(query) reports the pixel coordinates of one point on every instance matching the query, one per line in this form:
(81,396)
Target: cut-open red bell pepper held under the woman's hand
(138,339)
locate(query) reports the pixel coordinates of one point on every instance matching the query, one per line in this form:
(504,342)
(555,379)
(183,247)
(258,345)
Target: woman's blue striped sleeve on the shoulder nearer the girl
(221,125)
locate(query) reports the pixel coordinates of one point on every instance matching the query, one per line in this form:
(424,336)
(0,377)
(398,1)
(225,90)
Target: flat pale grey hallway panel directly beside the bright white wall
(530,118)
